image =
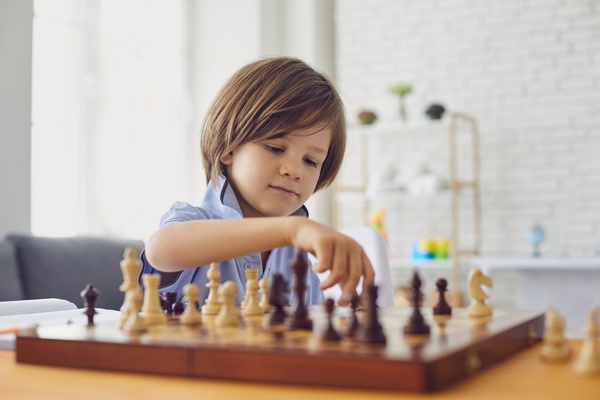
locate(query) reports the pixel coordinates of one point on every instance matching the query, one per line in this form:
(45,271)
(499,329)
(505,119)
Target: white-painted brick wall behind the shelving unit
(529,71)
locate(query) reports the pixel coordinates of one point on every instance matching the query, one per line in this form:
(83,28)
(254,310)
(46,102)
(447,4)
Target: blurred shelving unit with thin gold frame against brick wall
(458,135)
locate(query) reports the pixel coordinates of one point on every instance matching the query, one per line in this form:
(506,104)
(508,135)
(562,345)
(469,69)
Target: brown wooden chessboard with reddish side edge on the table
(453,351)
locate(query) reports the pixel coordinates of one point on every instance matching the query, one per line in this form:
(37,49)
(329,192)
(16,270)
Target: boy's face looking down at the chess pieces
(275,177)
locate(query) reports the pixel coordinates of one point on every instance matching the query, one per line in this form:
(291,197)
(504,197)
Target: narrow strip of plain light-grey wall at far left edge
(15,114)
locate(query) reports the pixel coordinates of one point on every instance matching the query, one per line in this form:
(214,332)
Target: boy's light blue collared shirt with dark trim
(221,203)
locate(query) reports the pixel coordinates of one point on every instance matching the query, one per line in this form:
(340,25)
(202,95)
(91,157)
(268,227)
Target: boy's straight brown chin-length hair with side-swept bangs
(271,98)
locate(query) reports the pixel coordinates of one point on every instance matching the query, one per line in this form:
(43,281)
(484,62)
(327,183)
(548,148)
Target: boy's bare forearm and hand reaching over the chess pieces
(189,244)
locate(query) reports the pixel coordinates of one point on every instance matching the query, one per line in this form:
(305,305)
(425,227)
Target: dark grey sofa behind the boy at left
(34,267)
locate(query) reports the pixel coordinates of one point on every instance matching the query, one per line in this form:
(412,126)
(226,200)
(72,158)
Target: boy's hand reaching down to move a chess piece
(341,255)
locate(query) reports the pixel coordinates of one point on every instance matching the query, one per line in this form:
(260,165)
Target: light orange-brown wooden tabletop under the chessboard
(522,376)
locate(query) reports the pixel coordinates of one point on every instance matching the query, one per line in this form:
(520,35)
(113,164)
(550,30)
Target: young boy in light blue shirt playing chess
(275,134)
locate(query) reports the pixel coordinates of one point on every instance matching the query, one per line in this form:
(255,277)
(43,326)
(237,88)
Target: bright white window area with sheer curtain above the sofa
(112,145)
